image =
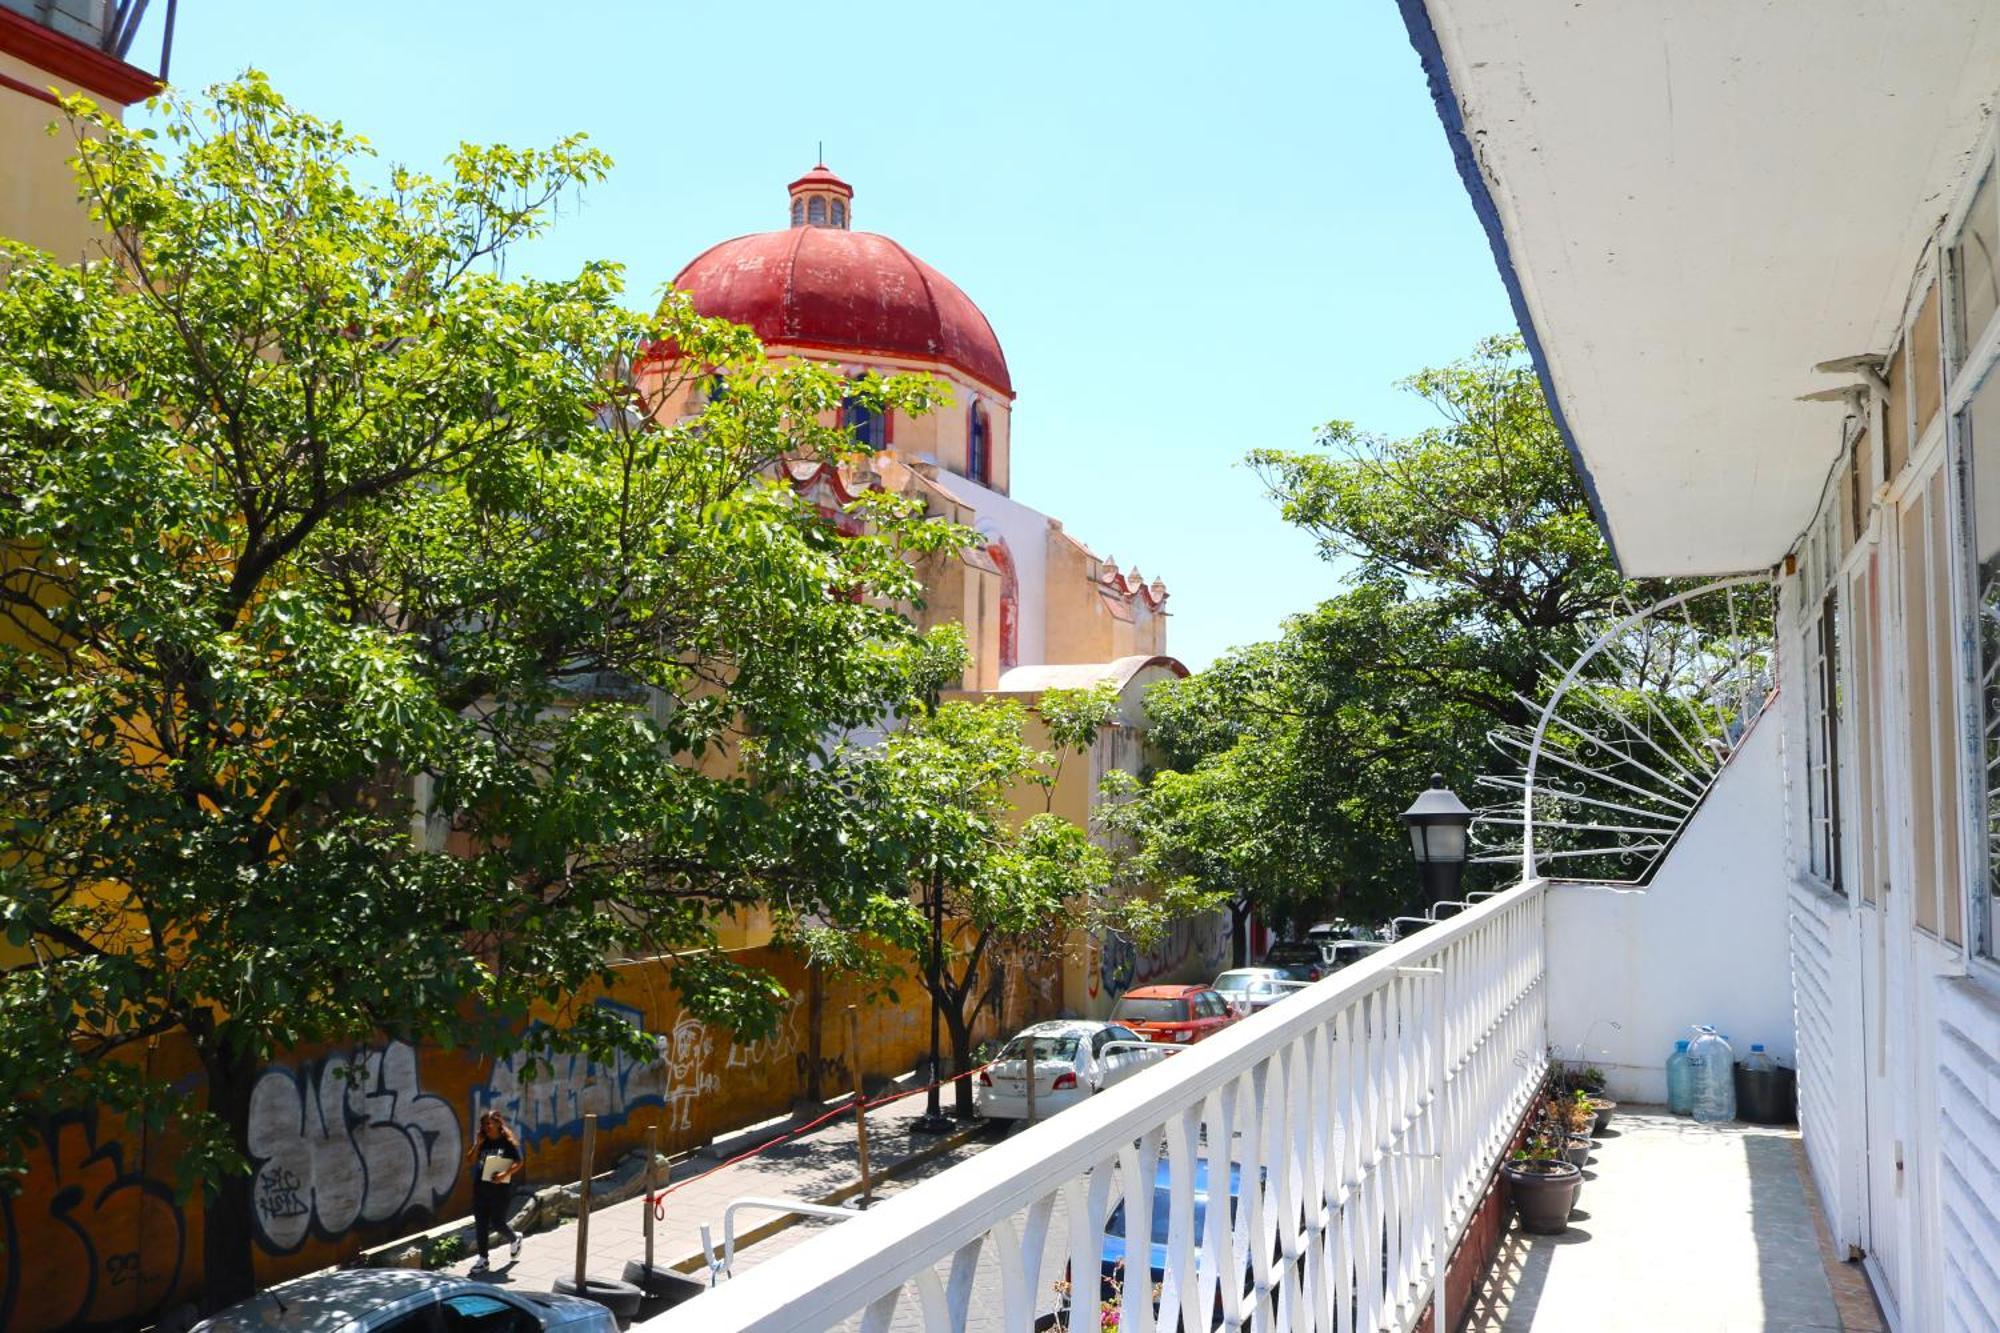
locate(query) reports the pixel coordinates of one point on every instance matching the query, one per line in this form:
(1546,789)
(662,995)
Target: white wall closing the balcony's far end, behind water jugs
(1705,944)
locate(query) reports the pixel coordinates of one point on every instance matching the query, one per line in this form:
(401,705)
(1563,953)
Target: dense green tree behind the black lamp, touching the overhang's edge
(1471,561)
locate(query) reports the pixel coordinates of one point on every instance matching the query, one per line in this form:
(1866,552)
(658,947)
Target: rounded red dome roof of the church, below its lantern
(829,289)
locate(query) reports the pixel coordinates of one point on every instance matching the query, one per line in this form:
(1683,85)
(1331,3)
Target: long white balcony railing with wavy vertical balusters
(1363,1122)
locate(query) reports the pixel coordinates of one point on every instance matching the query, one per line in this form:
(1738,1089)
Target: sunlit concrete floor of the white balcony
(1681,1228)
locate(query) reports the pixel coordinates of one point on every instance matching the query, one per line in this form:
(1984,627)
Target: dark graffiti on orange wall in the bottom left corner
(109,1242)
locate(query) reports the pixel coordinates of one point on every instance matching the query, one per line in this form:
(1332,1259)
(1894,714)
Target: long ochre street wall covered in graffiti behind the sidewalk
(361,1146)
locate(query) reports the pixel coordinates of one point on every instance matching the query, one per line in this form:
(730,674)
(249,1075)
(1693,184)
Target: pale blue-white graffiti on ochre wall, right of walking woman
(547,1094)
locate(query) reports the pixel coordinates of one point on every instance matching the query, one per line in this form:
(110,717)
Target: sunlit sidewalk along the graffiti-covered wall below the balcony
(809,1170)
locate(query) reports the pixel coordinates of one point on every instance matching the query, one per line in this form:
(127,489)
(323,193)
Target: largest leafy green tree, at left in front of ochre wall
(327,545)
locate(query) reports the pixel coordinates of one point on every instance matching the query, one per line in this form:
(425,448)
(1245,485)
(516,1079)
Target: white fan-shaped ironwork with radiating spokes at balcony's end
(1631,738)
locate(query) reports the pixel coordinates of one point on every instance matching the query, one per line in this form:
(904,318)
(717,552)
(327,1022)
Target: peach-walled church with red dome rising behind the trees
(1041,607)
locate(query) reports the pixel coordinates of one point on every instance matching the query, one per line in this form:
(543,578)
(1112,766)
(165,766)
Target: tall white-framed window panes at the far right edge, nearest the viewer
(1975,397)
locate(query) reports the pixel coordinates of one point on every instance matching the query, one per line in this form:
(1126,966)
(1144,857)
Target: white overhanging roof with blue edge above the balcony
(1695,203)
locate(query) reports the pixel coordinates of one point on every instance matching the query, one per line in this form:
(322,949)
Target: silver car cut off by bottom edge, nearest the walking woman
(405,1302)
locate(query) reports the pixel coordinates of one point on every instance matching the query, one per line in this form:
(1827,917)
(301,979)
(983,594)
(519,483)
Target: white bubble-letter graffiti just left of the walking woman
(347,1140)
